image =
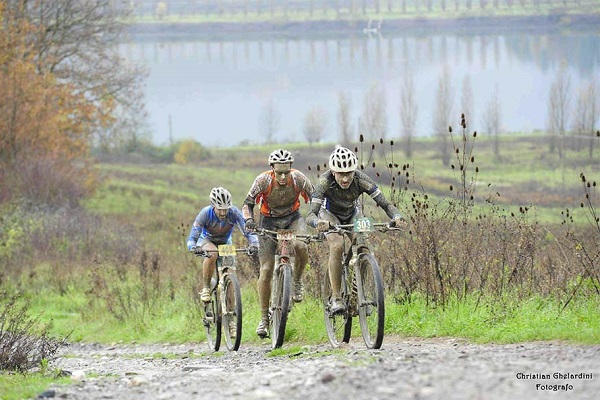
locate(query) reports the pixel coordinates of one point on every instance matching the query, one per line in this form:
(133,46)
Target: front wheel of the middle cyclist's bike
(280,306)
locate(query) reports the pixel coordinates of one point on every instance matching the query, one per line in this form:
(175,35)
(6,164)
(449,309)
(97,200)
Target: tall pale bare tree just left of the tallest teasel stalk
(443,113)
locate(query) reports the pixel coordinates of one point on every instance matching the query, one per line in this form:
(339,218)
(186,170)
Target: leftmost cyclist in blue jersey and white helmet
(214,226)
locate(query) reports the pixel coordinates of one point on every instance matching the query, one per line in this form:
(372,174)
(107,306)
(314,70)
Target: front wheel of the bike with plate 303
(371,305)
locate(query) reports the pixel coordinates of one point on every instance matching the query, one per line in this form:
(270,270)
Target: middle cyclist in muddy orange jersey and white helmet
(278,192)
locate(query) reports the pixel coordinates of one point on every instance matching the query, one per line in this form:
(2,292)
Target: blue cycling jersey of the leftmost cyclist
(208,226)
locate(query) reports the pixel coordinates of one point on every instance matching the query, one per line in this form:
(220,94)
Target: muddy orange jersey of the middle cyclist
(276,200)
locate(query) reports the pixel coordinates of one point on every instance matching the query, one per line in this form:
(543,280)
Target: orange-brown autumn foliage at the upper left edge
(45,122)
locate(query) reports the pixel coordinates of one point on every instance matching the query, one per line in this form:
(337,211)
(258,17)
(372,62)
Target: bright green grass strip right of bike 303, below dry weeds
(511,321)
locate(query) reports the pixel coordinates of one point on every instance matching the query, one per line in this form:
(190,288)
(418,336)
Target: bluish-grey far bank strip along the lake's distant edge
(293,28)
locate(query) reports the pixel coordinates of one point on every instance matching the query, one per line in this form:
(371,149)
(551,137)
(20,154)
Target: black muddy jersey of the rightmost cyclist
(343,202)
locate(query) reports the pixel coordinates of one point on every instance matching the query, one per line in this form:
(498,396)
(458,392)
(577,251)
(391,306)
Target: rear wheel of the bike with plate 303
(338,326)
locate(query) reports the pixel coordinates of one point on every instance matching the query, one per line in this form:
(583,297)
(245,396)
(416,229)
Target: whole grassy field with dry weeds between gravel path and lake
(484,270)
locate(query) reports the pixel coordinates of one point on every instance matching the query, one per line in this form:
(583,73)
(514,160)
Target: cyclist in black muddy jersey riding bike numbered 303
(335,202)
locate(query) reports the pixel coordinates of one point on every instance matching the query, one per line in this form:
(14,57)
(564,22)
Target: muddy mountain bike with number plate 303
(361,289)
